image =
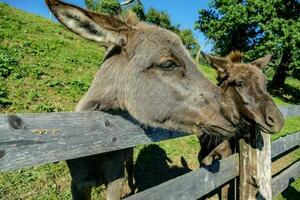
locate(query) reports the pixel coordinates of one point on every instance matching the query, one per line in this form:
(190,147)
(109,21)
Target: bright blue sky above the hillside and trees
(183,12)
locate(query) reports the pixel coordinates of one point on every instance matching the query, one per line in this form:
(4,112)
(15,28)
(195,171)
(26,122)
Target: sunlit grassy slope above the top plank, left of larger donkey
(39,61)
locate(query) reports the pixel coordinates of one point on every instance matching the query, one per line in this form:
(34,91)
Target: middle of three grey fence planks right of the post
(284,144)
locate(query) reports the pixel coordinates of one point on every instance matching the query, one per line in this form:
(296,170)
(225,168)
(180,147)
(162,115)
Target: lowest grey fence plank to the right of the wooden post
(285,178)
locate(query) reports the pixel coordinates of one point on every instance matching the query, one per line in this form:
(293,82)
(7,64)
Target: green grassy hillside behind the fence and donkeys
(45,68)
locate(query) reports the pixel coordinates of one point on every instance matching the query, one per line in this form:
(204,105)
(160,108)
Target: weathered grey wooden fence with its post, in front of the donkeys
(28,140)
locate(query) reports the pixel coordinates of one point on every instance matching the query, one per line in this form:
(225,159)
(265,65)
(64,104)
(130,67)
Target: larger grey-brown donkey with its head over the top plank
(149,74)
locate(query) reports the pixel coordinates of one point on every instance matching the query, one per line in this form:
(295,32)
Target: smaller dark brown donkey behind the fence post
(247,87)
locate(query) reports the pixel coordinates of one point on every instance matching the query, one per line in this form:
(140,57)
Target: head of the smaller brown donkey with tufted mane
(247,86)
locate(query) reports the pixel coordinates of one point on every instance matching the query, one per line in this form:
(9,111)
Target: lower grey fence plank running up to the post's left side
(195,184)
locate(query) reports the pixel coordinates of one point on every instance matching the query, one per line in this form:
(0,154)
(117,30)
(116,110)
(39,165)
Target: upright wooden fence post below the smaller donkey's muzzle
(255,166)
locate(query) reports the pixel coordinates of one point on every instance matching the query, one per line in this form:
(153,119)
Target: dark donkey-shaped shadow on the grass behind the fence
(152,168)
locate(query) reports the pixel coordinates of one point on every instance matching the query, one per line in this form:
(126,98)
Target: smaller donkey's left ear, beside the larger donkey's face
(220,64)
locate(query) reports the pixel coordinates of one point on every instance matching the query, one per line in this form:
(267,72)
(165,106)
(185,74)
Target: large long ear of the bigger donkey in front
(104,29)
